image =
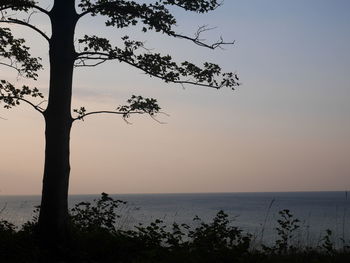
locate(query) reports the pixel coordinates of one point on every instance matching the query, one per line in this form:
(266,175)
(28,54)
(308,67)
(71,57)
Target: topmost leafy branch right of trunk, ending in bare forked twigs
(155,16)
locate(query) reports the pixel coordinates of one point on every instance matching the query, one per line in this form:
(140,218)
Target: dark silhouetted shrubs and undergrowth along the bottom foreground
(94,238)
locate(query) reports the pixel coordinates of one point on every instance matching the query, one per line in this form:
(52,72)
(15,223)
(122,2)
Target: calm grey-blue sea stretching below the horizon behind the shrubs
(254,213)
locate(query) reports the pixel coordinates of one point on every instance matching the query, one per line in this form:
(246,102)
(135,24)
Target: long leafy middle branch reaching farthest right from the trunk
(154,64)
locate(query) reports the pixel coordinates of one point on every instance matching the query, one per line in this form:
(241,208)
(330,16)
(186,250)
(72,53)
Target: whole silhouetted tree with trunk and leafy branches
(64,58)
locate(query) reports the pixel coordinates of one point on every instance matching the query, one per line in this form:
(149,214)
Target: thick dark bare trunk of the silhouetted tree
(53,218)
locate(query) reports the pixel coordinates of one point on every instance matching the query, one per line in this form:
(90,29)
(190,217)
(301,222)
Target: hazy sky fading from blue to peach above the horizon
(287,128)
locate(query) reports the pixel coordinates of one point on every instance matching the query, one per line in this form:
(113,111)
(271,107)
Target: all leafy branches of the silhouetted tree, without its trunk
(118,13)
